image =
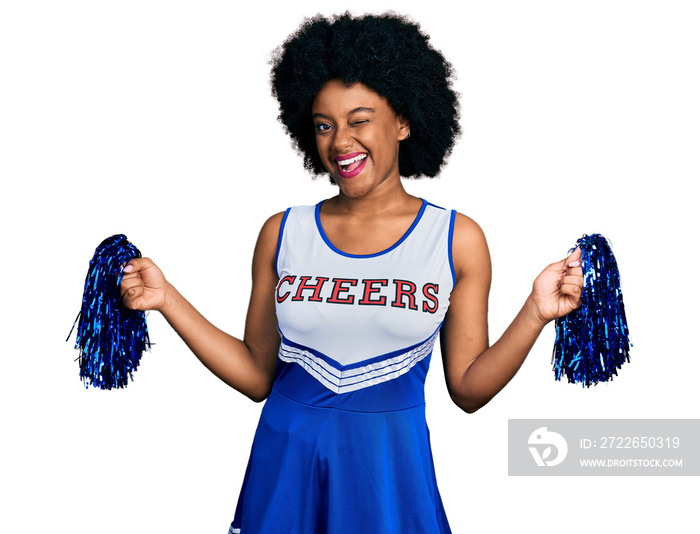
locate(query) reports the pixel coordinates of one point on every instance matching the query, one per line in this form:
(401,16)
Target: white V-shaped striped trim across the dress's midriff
(357,378)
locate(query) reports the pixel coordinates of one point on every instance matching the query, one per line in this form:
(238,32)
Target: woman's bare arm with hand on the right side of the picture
(476,372)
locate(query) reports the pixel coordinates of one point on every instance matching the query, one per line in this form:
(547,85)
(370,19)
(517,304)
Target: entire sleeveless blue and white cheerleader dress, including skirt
(342,444)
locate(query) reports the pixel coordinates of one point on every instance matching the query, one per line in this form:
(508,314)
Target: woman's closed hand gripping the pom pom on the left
(143,285)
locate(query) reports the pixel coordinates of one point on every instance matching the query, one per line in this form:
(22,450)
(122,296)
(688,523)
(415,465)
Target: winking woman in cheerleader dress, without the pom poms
(350,295)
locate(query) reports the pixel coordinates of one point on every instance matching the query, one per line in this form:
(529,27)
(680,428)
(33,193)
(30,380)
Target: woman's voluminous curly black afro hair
(387,53)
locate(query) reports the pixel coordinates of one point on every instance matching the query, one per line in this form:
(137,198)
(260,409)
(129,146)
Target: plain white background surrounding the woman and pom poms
(154,119)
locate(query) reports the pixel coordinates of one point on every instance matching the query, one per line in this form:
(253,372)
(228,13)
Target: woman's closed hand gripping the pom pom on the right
(557,290)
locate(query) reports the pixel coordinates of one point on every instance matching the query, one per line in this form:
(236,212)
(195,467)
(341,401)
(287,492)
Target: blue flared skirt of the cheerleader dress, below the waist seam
(318,469)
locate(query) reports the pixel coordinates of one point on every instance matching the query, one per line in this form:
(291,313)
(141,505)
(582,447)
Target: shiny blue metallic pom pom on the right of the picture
(592,342)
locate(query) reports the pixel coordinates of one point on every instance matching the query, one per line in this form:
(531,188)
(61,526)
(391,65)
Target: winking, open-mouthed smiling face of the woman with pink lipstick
(357,136)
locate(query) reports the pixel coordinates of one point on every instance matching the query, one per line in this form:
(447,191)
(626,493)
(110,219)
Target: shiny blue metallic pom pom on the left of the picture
(110,337)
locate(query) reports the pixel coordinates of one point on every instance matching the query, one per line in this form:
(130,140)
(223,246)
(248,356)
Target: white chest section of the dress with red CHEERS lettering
(355,307)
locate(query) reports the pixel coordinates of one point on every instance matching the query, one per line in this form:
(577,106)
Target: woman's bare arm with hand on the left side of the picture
(247,365)
